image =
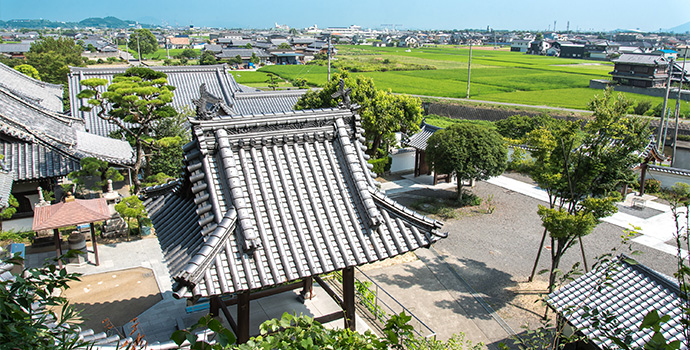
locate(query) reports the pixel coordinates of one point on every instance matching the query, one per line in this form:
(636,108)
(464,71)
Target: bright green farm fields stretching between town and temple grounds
(497,75)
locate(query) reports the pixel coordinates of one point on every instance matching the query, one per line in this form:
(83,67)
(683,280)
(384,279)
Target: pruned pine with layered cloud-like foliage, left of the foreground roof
(139,98)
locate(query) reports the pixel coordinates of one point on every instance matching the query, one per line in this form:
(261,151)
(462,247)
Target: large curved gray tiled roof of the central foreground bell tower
(276,198)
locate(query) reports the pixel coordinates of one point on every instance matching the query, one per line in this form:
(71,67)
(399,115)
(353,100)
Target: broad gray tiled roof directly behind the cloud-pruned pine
(186,79)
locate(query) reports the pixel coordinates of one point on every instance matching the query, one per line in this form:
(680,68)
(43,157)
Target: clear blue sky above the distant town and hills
(440,14)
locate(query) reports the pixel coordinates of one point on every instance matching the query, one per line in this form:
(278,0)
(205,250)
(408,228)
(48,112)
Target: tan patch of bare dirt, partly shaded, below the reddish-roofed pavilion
(121,295)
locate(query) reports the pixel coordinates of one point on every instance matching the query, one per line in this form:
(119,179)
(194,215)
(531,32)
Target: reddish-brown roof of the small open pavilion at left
(77,212)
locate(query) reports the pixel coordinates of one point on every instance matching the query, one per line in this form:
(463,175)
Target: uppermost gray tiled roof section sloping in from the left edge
(47,95)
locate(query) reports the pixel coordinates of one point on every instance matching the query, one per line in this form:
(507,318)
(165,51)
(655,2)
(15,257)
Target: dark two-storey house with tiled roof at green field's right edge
(640,70)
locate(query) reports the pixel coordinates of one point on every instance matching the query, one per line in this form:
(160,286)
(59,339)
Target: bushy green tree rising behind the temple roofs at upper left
(52,57)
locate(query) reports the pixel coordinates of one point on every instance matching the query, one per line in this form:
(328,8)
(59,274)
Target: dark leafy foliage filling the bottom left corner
(33,315)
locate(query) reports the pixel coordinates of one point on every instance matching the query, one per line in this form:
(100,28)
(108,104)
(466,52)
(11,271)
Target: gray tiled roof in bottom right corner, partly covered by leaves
(635,291)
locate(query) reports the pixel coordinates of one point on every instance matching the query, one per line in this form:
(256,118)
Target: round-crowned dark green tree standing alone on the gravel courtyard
(467,150)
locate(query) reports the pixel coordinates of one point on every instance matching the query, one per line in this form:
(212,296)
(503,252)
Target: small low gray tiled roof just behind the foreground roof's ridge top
(266,102)
